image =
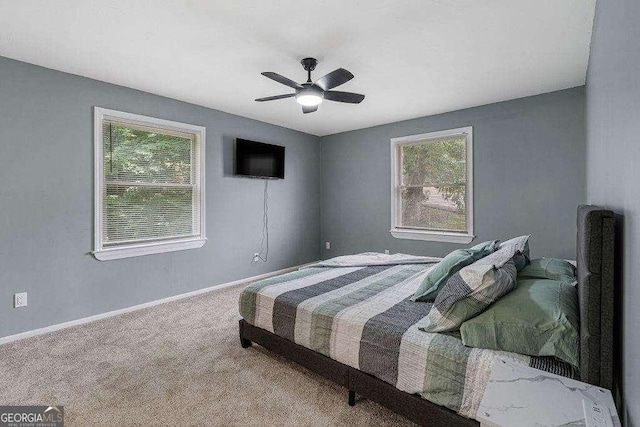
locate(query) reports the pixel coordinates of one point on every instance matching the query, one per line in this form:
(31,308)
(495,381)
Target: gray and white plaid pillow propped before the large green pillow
(470,291)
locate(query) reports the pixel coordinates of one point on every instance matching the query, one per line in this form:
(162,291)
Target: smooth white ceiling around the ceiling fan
(410,58)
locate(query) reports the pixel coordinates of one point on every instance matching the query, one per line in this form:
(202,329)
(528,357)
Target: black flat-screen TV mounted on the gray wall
(259,160)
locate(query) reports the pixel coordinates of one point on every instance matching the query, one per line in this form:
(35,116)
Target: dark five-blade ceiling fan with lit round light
(310,94)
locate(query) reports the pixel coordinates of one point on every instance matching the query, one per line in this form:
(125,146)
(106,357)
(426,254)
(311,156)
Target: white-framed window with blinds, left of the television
(149,185)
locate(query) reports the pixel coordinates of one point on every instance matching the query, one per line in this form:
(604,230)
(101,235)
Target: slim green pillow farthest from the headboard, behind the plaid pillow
(449,266)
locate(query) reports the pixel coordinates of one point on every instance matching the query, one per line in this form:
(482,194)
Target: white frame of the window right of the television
(396,179)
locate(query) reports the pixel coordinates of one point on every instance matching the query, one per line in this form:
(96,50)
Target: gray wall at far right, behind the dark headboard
(613,162)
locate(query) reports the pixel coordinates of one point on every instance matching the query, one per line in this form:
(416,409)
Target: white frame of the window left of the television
(103,253)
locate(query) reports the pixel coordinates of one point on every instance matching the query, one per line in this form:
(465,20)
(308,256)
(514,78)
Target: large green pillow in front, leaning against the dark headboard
(538,318)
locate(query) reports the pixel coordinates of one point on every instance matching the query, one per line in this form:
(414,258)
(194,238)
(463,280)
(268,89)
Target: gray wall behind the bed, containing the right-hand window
(528,177)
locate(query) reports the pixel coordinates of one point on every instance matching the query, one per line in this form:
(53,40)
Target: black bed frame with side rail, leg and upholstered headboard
(596,293)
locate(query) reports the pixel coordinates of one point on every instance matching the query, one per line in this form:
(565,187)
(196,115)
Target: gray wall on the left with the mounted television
(46,202)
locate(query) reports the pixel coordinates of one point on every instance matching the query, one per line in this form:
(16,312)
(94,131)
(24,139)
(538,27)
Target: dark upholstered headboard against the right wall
(595,262)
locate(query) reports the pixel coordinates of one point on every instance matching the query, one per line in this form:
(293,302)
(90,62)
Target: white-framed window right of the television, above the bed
(432,186)
